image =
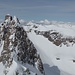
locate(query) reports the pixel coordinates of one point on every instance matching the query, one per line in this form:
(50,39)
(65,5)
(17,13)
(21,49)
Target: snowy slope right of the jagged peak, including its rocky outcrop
(57,59)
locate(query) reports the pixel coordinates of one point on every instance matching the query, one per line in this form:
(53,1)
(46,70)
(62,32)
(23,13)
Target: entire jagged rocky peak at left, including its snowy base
(18,54)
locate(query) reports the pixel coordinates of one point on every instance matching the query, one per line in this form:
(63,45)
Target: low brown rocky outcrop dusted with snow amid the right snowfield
(56,38)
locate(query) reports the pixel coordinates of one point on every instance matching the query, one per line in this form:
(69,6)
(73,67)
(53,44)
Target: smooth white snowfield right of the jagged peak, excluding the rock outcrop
(49,52)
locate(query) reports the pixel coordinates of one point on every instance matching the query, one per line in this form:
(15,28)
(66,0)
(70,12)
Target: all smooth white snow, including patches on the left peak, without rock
(47,50)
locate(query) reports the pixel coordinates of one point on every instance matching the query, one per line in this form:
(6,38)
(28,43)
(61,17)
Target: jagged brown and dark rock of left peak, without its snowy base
(17,45)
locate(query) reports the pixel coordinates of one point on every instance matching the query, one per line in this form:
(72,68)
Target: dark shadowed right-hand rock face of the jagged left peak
(27,53)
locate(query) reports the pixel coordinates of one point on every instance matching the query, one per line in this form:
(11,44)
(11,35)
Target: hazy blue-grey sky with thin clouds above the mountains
(53,10)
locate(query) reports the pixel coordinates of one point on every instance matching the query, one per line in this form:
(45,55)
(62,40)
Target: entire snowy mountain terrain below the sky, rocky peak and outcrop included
(36,48)
